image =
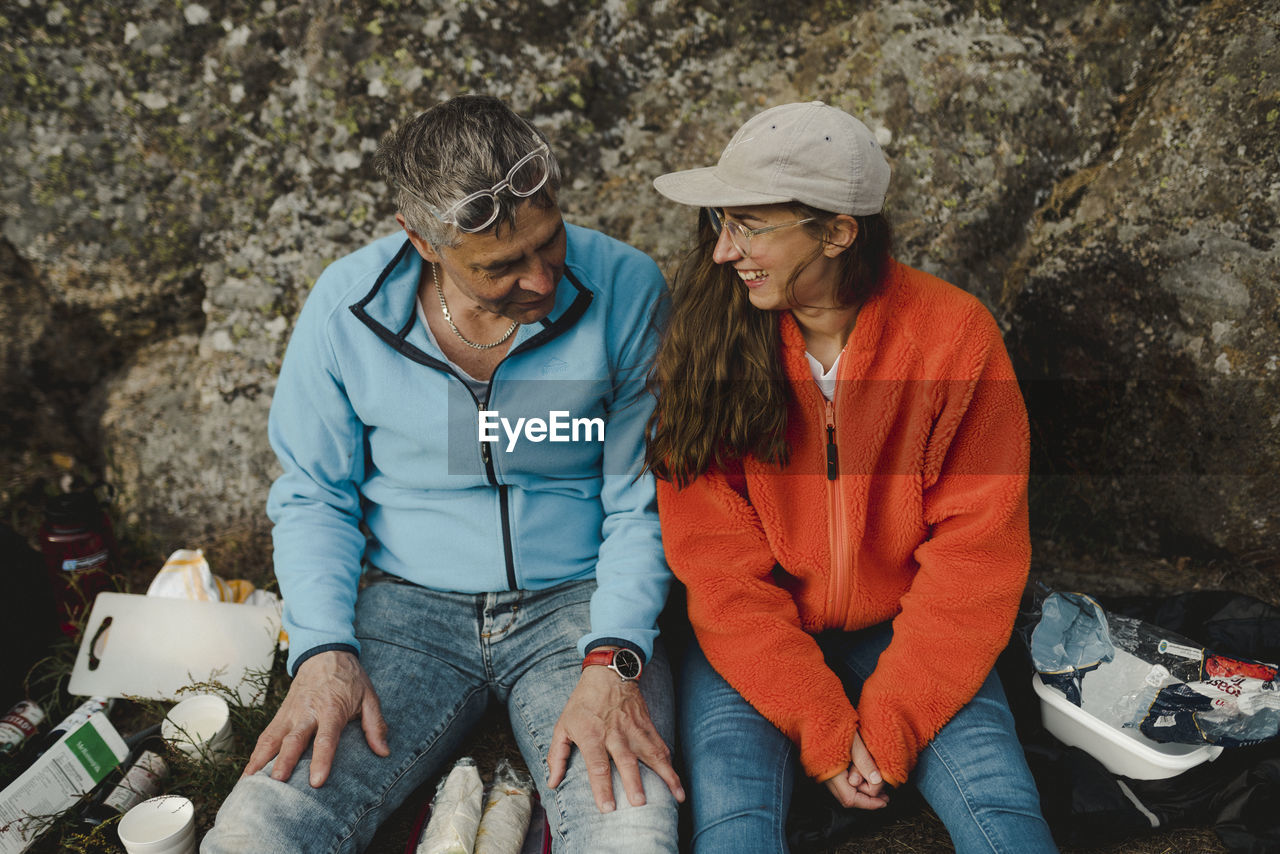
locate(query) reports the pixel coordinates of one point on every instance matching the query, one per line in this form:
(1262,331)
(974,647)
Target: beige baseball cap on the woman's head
(808,153)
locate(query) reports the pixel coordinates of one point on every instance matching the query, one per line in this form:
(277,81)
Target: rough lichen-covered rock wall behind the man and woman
(1104,175)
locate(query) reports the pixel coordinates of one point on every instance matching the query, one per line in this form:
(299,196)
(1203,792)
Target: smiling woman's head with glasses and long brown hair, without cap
(724,392)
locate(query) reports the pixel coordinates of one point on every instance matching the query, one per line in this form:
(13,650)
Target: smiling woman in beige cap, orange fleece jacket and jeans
(843,456)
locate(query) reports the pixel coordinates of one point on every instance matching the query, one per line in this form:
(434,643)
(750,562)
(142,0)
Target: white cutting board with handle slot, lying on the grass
(156,646)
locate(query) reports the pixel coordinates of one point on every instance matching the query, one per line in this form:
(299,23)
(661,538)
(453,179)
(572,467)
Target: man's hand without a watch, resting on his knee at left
(328,691)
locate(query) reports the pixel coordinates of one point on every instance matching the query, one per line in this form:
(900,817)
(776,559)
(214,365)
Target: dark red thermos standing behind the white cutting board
(80,552)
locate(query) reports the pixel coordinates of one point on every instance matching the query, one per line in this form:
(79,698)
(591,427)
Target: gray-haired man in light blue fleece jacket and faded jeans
(461,518)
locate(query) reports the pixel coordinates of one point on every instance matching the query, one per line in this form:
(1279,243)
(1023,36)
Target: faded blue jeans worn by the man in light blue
(437,660)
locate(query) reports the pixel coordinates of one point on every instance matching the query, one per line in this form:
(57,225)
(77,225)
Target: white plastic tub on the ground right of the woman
(1123,751)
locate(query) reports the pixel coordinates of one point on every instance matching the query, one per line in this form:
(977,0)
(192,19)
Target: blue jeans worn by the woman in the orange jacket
(742,769)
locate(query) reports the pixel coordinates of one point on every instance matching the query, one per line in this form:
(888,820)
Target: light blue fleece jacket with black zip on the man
(377,435)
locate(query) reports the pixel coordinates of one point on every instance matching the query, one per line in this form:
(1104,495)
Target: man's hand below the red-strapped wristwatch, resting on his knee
(607,719)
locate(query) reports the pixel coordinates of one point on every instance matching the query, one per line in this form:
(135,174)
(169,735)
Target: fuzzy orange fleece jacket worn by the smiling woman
(925,524)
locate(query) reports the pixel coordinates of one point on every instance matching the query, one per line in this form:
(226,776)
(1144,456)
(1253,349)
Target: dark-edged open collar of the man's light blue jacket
(391,308)
